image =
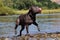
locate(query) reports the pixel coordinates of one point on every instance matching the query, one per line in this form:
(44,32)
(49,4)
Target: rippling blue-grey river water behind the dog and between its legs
(47,23)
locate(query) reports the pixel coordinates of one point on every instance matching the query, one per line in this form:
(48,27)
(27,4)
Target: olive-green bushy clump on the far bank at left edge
(6,10)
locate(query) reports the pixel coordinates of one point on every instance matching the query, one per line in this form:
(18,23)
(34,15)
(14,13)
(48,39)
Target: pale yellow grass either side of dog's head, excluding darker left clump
(47,11)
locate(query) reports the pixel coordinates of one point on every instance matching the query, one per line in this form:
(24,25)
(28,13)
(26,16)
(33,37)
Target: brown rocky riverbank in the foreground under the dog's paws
(44,36)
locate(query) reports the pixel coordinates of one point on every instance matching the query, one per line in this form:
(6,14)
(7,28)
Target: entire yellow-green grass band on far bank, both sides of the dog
(10,11)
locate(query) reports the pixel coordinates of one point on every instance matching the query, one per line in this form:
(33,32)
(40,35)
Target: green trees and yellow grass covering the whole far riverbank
(10,7)
